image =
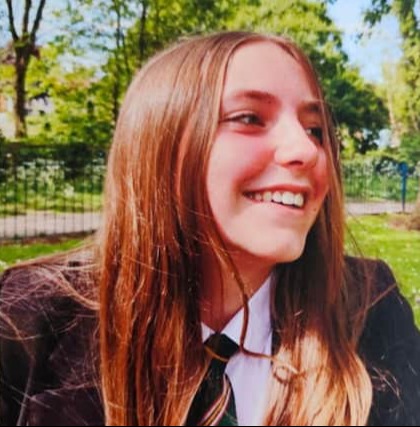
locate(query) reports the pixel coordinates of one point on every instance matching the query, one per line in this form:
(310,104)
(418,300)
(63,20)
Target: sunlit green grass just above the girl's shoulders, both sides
(376,238)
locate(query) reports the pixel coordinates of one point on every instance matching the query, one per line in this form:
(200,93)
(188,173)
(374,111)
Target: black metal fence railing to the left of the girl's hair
(47,190)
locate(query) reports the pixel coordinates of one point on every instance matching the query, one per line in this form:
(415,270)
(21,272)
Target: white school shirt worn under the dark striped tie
(249,375)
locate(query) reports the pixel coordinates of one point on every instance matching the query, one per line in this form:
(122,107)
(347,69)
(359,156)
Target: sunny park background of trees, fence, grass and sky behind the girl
(65,66)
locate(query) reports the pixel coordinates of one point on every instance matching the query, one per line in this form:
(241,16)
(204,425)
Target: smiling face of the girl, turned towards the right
(268,173)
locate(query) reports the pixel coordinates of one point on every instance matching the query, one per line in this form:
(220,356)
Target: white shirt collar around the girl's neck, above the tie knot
(259,324)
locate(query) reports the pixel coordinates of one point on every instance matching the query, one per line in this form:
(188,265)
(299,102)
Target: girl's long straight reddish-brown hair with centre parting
(157,221)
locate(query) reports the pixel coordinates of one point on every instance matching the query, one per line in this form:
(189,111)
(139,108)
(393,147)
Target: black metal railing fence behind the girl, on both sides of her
(50,190)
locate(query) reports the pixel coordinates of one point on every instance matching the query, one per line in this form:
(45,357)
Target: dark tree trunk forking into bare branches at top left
(24,48)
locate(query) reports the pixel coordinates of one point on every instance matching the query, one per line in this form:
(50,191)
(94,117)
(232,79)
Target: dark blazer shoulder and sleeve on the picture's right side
(389,346)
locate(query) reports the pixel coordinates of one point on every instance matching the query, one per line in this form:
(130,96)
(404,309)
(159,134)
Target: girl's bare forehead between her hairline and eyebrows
(266,67)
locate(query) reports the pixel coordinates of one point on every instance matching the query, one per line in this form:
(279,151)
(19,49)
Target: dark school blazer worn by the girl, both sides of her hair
(46,378)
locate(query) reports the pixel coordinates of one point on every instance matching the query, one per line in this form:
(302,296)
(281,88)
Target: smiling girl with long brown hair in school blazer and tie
(216,291)
